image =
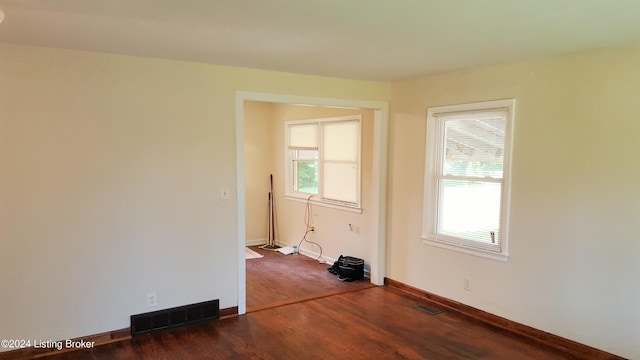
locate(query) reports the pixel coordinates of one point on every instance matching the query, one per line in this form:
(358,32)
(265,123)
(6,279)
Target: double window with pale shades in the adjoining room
(323,160)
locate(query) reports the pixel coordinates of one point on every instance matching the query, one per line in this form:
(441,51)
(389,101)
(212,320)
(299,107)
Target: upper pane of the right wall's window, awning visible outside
(474,146)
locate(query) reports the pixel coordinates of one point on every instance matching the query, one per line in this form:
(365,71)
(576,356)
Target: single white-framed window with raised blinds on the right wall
(467,177)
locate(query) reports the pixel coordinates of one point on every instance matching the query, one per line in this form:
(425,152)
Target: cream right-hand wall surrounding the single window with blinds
(575,202)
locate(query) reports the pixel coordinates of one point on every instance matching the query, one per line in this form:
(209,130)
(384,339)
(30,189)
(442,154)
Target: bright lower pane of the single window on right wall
(470,210)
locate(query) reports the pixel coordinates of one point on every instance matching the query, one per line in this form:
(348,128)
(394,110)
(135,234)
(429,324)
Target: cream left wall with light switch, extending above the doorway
(111,171)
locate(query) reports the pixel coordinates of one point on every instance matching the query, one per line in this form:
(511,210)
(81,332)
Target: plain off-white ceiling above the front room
(358,39)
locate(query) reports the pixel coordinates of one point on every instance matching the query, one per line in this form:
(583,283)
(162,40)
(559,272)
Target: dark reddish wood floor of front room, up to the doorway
(373,323)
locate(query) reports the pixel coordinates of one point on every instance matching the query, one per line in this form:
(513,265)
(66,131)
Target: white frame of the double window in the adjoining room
(319,199)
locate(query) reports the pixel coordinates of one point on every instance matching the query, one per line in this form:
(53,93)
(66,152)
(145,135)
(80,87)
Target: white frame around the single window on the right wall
(433,160)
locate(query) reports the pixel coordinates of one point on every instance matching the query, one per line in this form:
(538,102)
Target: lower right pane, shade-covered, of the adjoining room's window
(340,181)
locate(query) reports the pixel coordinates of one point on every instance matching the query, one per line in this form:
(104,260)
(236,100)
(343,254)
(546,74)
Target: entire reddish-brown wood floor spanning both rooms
(298,310)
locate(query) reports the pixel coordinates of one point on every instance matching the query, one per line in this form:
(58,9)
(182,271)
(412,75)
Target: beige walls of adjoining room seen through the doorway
(332,225)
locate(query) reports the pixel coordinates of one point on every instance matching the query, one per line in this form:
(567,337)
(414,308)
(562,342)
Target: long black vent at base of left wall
(174,317)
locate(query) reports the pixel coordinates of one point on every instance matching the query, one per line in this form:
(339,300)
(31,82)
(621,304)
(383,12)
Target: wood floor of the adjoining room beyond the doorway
(278,279)
